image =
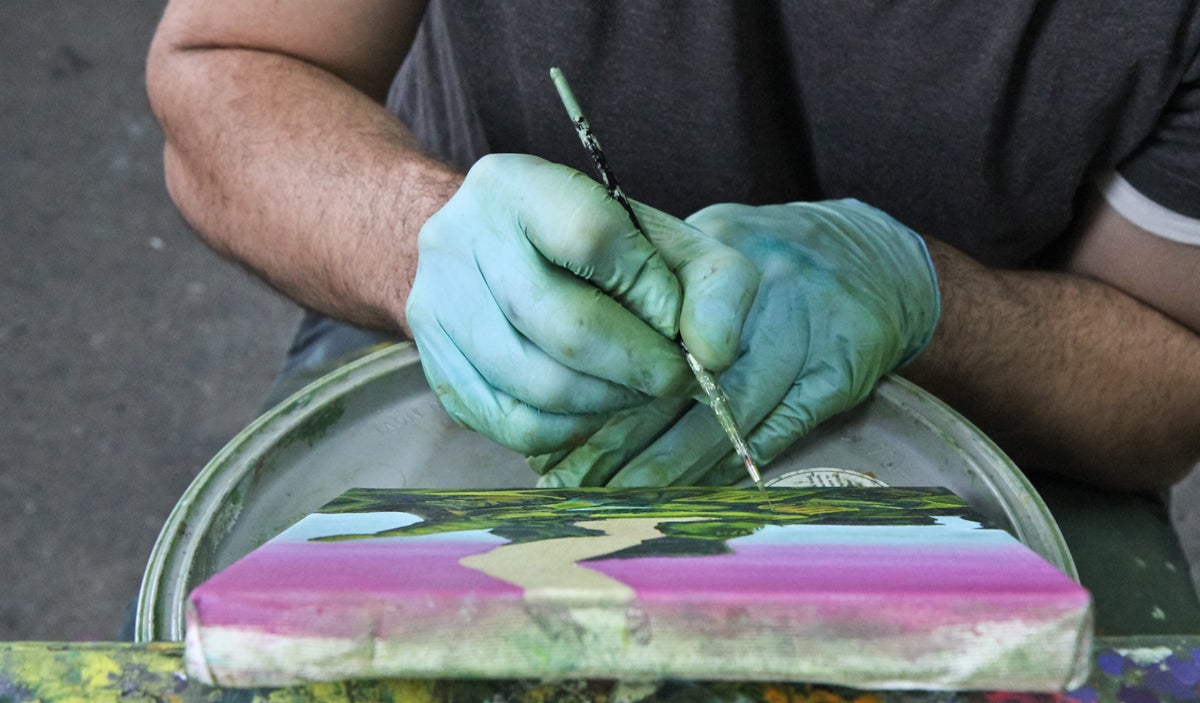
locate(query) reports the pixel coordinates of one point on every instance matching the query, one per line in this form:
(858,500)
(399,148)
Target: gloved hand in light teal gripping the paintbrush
(539,310)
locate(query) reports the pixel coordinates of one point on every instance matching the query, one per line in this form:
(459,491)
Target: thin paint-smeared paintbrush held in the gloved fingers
(717,399)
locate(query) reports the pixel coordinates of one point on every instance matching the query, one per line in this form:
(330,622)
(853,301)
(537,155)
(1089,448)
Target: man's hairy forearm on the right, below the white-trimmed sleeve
(1066,374)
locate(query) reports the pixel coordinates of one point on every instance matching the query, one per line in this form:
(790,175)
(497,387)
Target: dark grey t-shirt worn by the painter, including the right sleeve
(983,123)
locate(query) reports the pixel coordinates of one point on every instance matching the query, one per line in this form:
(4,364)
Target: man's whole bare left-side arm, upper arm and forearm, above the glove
(280,154)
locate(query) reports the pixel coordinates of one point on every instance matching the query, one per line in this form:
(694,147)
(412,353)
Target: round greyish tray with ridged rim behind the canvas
(376,424)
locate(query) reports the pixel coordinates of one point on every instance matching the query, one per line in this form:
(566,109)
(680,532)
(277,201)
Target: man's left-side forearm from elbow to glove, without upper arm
(297,176)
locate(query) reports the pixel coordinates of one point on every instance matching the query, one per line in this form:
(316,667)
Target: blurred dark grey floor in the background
(130,353)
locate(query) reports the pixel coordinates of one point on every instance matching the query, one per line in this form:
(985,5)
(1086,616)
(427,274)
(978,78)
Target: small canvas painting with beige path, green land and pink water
(862,587)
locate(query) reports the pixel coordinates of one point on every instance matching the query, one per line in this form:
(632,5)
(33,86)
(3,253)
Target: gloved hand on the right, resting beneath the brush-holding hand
(848,295)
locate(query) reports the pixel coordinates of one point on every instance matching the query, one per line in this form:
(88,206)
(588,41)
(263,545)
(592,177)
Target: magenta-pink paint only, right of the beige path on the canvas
(897,590)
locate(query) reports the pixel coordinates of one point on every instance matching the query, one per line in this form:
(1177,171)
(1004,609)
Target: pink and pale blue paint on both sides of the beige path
(327,588)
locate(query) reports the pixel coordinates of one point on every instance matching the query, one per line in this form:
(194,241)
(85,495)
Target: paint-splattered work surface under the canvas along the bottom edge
(1137,670)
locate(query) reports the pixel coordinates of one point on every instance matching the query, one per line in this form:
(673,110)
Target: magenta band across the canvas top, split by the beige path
(775,569)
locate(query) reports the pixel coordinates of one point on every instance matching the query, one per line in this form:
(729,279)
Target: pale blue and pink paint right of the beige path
(911,576)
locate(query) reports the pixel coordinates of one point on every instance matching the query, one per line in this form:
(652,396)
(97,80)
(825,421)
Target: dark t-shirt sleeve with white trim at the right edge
(1159,187)
